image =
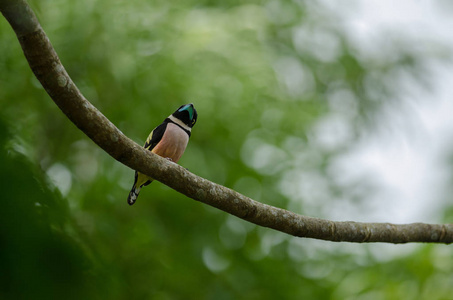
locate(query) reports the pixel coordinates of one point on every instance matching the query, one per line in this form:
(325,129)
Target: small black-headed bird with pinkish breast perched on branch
(168,140)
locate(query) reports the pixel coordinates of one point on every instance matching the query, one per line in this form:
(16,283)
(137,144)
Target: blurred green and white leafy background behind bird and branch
(339,111)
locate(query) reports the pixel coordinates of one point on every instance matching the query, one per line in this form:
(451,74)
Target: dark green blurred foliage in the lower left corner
(40,255)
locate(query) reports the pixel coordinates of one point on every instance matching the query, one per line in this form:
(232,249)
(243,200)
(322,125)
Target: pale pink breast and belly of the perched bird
(173,143)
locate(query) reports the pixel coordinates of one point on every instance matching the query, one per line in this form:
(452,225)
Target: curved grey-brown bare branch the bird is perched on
(46,65)
